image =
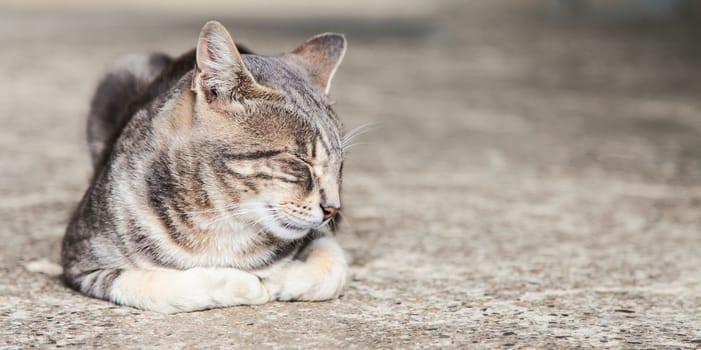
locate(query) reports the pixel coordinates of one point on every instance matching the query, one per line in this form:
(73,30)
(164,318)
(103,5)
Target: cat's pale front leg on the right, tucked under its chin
(318,273)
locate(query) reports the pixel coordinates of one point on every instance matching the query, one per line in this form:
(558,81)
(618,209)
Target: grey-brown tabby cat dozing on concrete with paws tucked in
(216,175)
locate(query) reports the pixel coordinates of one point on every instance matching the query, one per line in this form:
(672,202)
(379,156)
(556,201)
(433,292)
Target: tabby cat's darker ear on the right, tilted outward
(321,55)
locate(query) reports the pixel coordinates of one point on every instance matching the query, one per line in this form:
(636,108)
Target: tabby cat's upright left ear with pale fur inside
(220,71)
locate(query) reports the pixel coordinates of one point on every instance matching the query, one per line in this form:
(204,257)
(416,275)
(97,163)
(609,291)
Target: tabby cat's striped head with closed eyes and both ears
(270,139)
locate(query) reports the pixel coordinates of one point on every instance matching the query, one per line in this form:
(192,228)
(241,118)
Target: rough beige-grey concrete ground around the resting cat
(532,182)
